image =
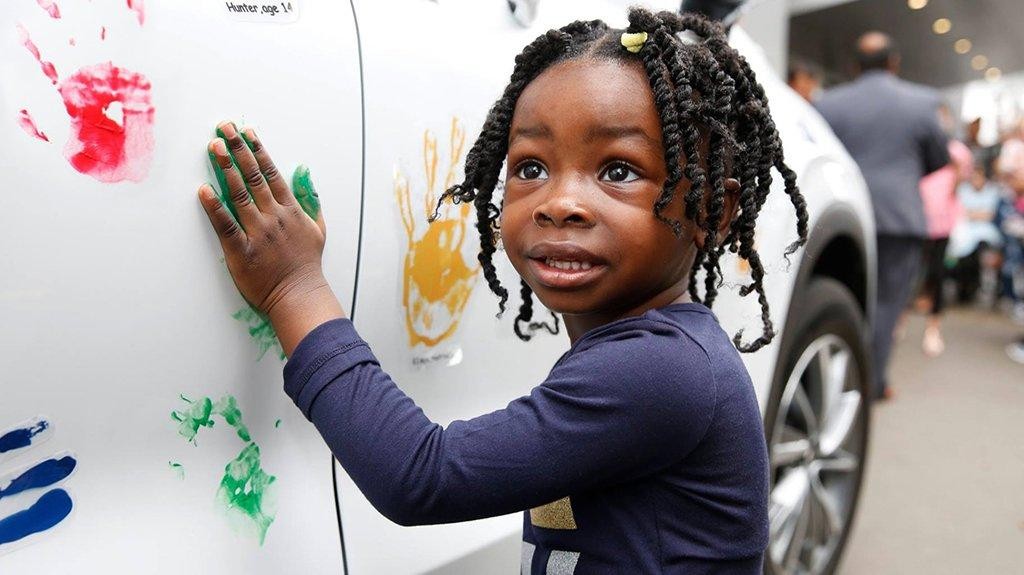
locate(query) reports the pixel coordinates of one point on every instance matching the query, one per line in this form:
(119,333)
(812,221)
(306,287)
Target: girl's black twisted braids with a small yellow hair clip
(706,96)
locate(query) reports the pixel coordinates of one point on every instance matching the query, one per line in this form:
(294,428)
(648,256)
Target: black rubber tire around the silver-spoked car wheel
(825,307)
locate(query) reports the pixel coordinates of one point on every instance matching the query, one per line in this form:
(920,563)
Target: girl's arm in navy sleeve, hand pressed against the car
(637,402)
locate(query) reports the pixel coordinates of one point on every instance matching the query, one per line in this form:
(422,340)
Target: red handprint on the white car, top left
(111,113)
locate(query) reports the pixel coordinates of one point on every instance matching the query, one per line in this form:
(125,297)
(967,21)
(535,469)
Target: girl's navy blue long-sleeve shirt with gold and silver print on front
(643,453)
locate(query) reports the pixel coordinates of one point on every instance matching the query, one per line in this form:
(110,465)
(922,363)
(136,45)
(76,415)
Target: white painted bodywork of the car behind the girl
(108,332)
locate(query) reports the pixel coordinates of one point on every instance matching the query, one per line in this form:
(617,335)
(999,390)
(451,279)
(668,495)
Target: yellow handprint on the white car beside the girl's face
(438,280)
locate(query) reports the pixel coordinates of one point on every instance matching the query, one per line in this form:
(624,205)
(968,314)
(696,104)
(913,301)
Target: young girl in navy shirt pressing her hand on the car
(628,156)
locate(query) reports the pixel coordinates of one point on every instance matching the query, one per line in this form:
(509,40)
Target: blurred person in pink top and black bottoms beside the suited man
(943,210)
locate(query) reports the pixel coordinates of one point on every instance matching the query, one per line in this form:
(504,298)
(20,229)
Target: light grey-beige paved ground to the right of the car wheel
(945,492)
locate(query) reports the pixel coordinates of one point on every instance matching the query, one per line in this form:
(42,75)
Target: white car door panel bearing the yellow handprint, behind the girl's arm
(433,72)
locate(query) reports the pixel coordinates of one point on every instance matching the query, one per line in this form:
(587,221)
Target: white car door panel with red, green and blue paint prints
(140,430)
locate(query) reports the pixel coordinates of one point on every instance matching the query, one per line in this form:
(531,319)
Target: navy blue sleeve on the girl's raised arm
(622,408)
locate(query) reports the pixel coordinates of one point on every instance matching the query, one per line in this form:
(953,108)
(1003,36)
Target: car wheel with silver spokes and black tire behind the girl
(817,426)
